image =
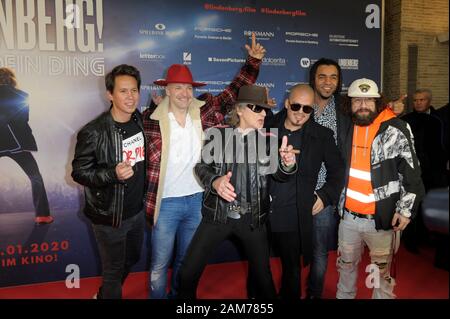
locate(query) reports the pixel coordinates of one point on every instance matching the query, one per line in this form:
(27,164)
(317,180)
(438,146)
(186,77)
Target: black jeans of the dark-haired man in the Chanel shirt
(120,249)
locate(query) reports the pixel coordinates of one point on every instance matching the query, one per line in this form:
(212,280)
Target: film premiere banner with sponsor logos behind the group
(60,51)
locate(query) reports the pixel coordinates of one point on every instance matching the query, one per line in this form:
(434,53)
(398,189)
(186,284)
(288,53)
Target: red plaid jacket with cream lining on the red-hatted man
(206,111)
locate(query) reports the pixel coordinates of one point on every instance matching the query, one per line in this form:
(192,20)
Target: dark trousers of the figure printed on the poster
(27,162)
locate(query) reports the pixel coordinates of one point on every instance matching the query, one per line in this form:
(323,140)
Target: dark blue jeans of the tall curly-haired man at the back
(324,229)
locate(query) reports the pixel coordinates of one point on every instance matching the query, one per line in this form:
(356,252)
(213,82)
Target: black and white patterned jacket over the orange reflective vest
(395,173)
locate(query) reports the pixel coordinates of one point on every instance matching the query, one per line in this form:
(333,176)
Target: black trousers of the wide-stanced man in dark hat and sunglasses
(208,236)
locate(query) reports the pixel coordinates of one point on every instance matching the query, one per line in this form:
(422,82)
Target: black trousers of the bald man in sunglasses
(288,247)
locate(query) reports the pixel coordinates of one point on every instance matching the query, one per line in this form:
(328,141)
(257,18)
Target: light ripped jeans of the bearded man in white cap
(353,232)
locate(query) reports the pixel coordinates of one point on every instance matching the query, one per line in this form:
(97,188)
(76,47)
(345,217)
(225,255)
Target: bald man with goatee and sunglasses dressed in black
(292,202)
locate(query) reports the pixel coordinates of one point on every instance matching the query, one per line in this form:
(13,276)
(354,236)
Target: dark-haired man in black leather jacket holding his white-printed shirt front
(110,162)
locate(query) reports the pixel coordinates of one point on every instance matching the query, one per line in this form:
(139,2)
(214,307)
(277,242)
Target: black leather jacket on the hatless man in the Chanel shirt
(98,151)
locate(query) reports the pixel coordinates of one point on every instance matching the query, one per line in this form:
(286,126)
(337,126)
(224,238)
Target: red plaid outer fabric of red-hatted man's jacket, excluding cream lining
(211,114)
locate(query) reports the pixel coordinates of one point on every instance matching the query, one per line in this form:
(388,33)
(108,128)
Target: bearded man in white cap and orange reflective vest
(382,190)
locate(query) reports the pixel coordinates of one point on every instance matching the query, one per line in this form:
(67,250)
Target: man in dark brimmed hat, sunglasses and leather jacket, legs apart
(236,200)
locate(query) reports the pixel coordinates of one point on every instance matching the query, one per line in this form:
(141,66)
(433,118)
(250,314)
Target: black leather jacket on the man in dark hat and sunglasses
(215,208)
